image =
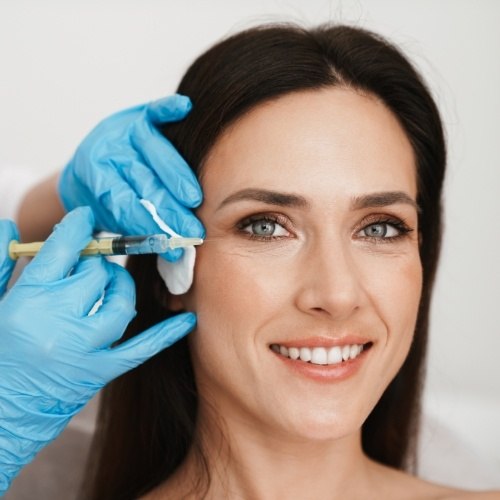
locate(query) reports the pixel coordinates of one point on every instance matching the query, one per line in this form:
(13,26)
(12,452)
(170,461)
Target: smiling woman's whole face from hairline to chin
(308,284)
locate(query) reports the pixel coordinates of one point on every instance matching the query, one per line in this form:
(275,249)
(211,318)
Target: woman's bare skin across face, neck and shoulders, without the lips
(286,434)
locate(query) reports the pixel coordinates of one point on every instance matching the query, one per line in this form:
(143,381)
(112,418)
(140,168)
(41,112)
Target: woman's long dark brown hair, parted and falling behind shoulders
(147,418)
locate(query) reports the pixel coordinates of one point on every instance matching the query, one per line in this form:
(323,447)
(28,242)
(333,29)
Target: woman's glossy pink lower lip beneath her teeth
(324,373)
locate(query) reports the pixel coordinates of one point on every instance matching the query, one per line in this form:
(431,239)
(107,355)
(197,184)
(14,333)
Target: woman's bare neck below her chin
(246,461)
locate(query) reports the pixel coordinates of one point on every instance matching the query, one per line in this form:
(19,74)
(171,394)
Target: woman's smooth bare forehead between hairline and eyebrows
(317,143)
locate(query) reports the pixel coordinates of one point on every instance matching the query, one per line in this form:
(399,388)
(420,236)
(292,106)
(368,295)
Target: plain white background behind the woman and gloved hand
(67,64)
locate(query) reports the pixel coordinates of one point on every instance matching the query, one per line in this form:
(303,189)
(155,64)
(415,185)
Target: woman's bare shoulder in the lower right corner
(402,485)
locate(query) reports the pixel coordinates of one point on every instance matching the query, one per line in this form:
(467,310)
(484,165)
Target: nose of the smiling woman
(330,283)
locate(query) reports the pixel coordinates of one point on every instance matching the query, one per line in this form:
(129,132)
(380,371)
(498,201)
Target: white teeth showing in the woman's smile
(322,355)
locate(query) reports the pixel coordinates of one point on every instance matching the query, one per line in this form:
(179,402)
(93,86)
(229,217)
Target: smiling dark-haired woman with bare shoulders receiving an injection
(321,157)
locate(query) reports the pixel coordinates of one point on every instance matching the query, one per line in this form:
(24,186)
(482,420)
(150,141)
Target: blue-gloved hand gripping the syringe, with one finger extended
(53,356)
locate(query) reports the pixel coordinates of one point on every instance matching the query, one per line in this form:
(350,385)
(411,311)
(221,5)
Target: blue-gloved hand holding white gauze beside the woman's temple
(124,159)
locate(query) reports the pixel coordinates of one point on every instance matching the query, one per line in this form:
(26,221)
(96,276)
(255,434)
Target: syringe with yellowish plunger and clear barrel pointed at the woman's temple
(118,245)
